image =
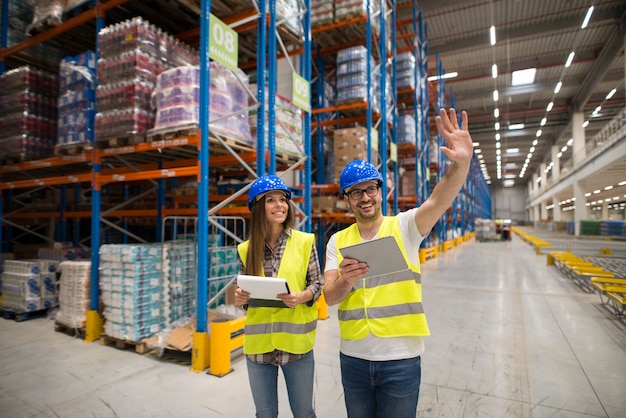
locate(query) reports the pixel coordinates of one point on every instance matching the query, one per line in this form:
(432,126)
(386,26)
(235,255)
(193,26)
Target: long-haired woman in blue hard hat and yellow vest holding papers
(277,336)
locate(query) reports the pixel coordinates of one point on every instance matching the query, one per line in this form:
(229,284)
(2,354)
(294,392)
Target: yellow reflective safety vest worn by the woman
(286,329)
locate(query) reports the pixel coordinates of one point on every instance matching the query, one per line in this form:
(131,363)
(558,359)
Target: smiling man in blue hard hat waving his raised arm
(381,320)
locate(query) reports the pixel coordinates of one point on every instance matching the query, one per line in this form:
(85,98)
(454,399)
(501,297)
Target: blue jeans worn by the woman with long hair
(299,380)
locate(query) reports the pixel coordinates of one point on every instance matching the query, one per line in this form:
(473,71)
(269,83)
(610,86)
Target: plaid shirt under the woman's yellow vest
(313,283)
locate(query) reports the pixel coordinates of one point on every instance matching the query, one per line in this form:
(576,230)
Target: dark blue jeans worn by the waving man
(381,389)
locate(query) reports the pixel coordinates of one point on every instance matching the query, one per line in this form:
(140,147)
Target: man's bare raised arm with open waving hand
(459,149)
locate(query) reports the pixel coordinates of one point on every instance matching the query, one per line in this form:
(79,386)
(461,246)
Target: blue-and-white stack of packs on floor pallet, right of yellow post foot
(134,294)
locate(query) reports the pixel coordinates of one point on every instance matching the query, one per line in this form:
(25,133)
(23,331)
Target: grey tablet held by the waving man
(382,255)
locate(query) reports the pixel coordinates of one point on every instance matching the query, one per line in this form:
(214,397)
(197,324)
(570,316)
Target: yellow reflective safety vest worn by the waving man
(388,305)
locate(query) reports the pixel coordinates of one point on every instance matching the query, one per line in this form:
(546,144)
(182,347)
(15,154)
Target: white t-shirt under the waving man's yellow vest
(374,348)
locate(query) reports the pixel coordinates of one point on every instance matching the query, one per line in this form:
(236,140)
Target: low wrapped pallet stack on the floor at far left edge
(29,285)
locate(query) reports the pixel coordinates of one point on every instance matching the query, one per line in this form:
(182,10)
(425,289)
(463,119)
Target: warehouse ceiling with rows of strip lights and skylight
(529,34)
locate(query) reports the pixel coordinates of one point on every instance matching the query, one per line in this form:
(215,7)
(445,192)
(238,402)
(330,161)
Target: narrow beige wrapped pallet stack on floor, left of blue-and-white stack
(74,294)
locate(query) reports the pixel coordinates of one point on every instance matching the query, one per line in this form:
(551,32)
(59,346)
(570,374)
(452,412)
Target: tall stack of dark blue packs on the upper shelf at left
(77,99)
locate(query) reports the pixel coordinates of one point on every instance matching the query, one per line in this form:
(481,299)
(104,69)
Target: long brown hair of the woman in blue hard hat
(259,227)
